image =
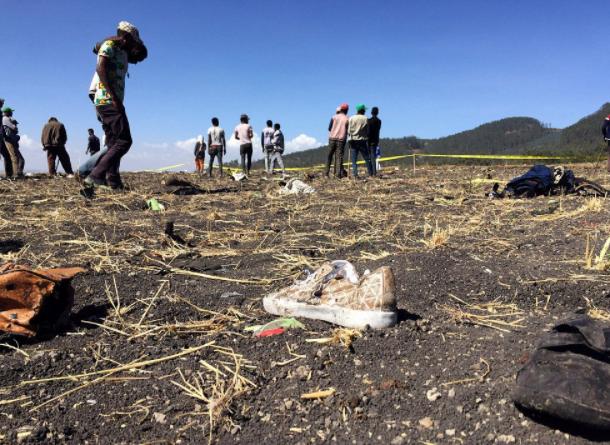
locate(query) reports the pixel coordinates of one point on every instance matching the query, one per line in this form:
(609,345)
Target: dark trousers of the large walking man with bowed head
(118,141)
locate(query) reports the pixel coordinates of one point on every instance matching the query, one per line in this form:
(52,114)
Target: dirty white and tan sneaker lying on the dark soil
(336,294)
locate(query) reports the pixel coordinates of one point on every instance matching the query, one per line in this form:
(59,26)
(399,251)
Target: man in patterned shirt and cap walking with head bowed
(112,65)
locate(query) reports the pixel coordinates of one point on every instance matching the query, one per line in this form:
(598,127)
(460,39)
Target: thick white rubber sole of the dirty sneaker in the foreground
(349,318)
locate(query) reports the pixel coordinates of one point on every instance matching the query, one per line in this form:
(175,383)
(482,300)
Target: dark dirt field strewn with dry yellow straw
(157,352)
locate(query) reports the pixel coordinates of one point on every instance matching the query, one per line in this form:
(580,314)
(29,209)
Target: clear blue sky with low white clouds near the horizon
(433,67)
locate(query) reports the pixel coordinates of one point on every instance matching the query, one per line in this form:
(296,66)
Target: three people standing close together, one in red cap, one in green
(363,135)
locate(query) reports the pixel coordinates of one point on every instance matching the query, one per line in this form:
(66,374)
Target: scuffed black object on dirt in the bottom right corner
(566,380)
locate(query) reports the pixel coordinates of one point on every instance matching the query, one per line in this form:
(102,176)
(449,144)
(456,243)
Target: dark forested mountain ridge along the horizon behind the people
(513,135)
